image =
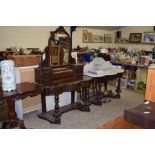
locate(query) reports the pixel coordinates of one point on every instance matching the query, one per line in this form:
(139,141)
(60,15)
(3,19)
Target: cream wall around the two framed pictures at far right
(125,33)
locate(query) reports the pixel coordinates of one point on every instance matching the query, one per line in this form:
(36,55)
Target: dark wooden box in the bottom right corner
(142,115)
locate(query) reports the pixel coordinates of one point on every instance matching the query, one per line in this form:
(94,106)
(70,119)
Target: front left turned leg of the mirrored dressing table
(57,113)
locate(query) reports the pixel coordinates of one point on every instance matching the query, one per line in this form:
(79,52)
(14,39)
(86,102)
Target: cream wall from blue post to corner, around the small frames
(78,38)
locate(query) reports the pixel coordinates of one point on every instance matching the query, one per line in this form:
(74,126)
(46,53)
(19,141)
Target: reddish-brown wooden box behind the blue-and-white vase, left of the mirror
(25,60)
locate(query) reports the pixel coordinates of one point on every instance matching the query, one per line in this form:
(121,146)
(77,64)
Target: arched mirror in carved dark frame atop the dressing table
(58,52)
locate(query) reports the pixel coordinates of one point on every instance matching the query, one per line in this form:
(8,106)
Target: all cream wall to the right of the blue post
(125,33)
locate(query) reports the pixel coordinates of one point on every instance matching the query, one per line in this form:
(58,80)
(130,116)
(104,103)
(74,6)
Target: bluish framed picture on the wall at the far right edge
(148,37)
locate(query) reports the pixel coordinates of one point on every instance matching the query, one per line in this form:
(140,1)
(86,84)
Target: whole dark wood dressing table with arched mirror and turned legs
(56,74)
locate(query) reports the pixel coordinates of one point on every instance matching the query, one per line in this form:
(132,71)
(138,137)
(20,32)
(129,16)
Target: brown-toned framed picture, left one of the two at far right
(135,37)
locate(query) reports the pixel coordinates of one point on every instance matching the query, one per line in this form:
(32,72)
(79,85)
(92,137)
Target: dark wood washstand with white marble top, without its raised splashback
(100,80)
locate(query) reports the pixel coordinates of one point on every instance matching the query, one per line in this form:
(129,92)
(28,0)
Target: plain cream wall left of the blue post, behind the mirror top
(25,36)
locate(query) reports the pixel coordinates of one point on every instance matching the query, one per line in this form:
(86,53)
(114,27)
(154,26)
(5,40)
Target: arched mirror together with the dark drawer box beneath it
(57,67)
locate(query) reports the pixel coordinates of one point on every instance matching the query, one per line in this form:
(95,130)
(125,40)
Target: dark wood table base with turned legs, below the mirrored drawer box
(53,116)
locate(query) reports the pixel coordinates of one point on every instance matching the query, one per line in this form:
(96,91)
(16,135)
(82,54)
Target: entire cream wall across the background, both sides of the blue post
(37,36)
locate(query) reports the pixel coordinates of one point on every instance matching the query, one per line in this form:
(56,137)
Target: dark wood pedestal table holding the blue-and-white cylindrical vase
(22,91)
